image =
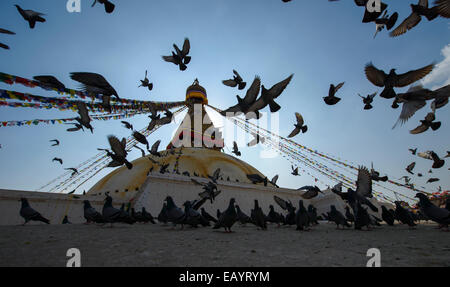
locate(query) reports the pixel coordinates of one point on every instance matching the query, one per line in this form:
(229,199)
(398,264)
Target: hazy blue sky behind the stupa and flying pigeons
(320,42)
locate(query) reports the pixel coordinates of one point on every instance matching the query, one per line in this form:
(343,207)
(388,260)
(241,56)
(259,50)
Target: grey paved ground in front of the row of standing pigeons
(156,245)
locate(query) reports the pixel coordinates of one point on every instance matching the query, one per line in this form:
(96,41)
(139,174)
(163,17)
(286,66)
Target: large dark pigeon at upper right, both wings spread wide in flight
(392,80)
